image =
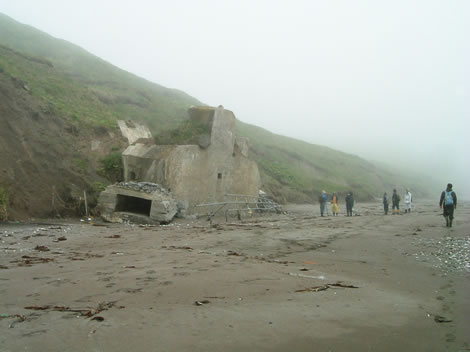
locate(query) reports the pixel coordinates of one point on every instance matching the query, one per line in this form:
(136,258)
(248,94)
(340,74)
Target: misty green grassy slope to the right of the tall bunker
(306,169)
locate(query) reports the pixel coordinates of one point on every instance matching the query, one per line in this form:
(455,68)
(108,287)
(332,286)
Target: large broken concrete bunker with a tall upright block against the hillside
(215,163)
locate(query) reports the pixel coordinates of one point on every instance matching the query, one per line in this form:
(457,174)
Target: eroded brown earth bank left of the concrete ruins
(46,160)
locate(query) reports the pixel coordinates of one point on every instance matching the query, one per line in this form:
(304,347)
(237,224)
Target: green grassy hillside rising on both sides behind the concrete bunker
(84,89)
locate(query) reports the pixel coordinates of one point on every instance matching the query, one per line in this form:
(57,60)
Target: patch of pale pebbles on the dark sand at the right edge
(448,254)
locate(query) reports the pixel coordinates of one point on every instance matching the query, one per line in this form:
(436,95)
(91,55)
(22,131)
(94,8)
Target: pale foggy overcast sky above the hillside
(387,80)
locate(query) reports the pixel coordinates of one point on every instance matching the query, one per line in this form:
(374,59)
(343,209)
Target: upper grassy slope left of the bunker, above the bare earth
(87,88)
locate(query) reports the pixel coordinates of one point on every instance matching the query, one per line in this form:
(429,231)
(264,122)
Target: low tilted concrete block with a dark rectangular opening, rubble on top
(137,202)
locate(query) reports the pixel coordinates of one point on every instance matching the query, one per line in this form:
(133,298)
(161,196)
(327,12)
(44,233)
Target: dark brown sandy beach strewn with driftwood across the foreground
(269,283)
